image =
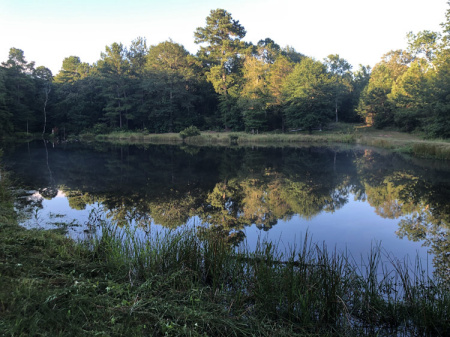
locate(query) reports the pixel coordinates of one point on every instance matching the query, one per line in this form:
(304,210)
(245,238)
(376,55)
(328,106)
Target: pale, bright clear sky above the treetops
(360,31)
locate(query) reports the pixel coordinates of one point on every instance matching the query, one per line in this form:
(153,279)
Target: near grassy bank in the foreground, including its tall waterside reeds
(193,283)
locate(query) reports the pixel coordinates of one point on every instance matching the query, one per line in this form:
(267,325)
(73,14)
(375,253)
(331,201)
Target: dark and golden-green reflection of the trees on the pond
(232,188)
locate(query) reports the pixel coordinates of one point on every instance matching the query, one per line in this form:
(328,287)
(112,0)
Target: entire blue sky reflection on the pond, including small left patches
(355,227)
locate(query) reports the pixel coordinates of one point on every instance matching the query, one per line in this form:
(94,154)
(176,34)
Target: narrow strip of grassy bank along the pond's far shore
(339,133)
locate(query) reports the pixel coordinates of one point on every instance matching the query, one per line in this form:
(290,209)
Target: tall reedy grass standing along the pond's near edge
(307,287)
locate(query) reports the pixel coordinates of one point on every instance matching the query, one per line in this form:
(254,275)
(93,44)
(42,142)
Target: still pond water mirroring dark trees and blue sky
(348,198)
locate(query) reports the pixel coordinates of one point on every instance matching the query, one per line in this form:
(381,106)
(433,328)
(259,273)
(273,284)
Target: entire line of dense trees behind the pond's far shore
(228,85)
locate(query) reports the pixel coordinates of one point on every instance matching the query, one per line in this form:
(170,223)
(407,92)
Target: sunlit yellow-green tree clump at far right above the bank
(408,89)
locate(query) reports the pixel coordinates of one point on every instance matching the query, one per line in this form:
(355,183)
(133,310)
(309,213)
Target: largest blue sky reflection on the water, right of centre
(355,227)
